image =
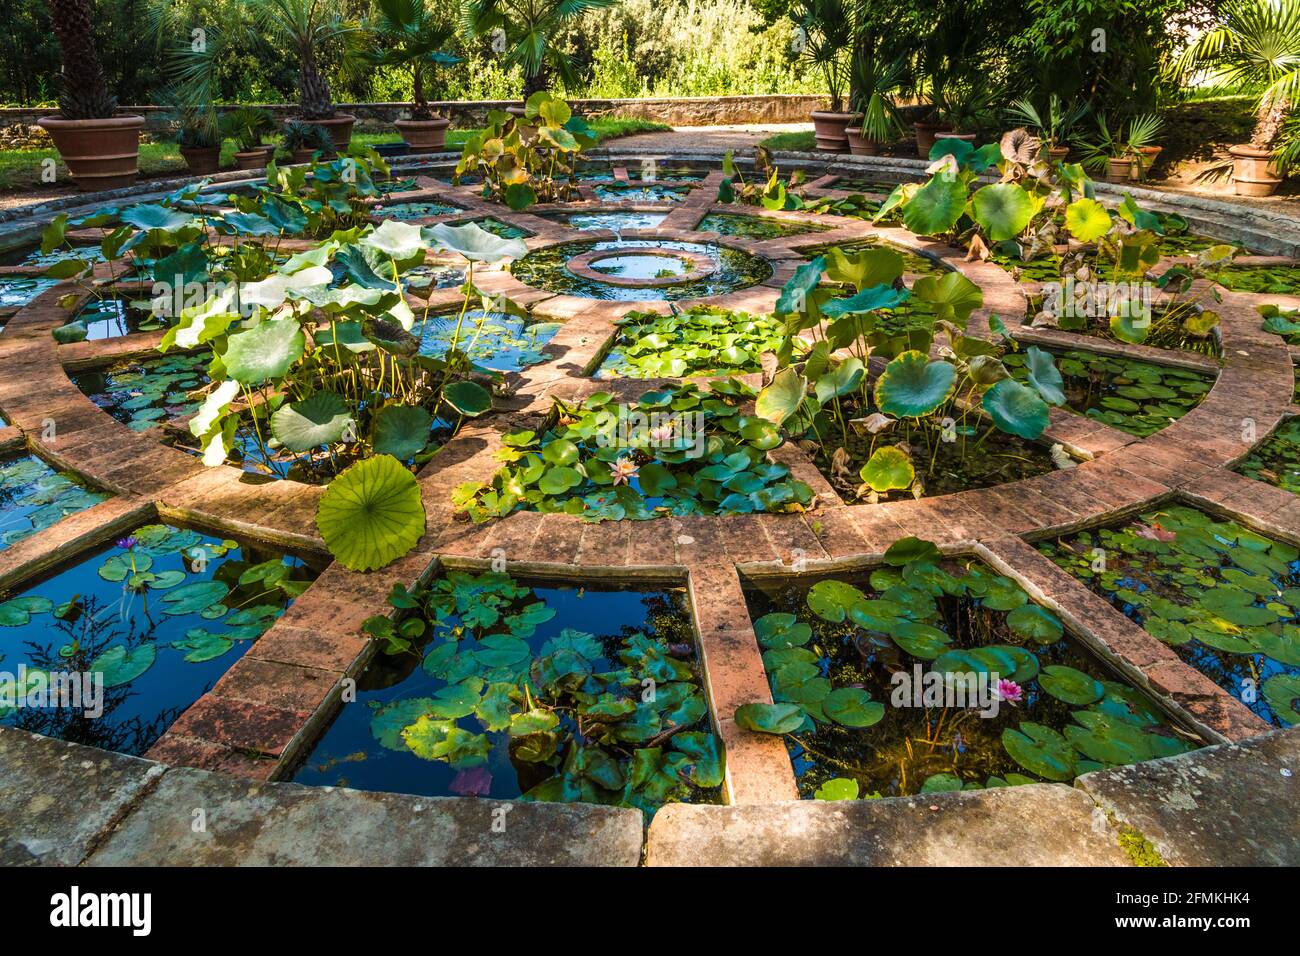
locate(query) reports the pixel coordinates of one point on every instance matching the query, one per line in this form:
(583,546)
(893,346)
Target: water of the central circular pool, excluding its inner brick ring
(547,270)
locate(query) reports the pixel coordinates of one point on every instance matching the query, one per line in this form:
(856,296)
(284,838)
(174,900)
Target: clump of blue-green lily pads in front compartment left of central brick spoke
(618,721)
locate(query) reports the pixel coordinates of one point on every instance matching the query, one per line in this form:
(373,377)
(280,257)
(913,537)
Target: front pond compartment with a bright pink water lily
(874,671)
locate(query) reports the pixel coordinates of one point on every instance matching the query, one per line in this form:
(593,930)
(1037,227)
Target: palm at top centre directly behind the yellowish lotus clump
(531,29)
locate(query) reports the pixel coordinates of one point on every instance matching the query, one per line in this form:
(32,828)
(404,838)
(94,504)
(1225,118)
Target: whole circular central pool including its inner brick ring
(638,270)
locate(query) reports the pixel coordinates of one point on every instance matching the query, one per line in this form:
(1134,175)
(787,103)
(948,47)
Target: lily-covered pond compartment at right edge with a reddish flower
(1224,598)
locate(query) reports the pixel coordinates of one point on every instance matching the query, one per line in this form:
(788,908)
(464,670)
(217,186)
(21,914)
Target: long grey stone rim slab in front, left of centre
(292,825)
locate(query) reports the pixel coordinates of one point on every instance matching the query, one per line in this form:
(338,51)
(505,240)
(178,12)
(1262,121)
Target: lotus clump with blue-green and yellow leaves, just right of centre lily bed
(840,313)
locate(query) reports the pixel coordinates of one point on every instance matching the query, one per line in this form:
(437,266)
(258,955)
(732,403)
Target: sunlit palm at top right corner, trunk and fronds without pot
(1256,45)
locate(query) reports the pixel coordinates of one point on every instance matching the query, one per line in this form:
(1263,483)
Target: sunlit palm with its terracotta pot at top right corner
(1256,46)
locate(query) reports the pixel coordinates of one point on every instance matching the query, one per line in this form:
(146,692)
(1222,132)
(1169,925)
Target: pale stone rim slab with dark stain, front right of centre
(1042,825)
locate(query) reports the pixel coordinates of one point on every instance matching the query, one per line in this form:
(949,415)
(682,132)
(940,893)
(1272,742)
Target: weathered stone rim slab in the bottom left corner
(57,798)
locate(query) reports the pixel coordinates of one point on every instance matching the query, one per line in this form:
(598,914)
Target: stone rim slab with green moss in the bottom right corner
(1229,806)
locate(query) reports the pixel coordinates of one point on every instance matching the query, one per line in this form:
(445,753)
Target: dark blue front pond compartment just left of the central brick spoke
(539,691)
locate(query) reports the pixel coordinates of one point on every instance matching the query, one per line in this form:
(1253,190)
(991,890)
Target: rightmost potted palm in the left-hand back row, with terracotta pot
(410,34)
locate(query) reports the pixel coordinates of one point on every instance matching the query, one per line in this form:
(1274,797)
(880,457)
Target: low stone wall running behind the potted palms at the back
(678,111)
